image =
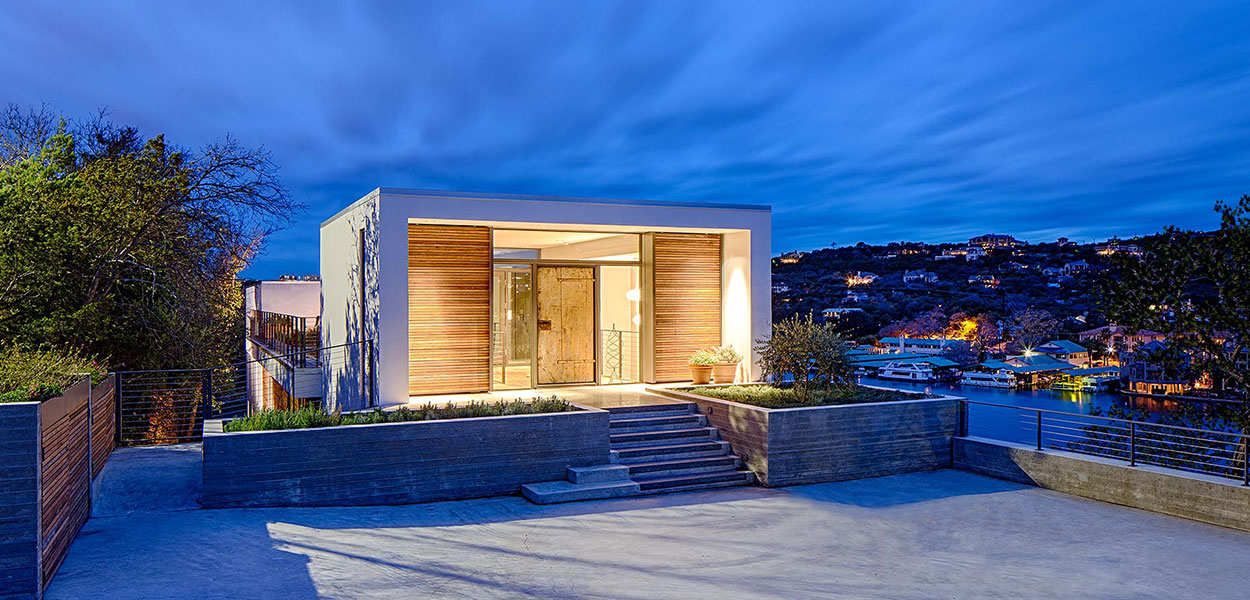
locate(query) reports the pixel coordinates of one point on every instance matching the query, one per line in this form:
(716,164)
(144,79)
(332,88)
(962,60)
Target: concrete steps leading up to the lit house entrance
(656,449)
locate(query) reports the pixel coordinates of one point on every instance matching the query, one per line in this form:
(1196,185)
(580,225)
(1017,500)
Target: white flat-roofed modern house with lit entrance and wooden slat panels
(467,293)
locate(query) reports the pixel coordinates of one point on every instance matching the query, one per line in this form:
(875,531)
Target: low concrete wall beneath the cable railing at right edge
(1208,499)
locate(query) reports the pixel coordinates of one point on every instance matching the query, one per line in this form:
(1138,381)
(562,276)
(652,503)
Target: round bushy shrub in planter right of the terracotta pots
(806,356)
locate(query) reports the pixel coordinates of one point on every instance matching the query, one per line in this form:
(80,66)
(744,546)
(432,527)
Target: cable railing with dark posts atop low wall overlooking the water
(1223,454)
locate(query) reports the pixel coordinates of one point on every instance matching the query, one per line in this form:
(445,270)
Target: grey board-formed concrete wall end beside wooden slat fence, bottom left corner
(19,502)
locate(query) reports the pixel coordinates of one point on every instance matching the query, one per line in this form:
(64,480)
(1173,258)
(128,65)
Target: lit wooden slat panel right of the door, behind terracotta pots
(687,301)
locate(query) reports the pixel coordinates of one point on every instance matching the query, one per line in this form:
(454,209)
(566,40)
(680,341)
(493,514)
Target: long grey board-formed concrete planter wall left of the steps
(398,463)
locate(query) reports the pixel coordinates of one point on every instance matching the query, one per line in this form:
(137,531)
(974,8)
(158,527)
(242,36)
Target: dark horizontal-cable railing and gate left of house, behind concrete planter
(171,406)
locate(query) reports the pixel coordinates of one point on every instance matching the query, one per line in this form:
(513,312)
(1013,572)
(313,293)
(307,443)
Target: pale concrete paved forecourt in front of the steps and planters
(946,534)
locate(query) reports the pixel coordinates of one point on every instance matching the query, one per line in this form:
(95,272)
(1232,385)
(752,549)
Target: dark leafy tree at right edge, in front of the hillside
(1196,289)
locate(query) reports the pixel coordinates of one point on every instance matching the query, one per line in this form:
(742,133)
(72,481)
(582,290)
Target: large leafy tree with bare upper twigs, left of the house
(126,247)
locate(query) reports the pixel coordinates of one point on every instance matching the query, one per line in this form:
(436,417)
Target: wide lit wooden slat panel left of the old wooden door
(448,309)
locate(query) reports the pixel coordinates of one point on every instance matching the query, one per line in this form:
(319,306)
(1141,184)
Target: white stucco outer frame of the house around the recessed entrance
(386,213)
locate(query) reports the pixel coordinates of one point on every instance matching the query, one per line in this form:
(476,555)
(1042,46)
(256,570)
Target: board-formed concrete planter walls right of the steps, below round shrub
(833,443)
